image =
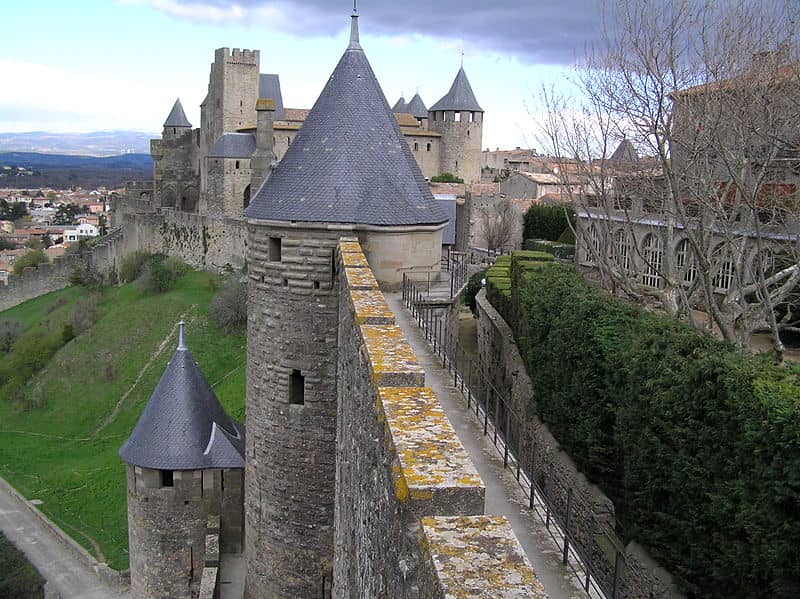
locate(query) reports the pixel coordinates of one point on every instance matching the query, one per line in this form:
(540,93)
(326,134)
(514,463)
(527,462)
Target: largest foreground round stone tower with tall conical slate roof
(350,172)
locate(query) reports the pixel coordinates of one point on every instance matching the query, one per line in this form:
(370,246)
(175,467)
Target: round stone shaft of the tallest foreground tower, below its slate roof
(291,410)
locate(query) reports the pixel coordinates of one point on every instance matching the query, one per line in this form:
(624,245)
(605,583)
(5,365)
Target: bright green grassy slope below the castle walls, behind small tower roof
(53,455)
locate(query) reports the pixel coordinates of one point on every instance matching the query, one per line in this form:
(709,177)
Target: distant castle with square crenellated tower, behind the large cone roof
(245,130)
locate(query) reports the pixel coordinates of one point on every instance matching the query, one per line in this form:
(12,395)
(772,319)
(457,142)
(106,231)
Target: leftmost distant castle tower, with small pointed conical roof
(175,163)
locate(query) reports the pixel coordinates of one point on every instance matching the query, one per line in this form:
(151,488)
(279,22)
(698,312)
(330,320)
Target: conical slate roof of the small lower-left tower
(183,426)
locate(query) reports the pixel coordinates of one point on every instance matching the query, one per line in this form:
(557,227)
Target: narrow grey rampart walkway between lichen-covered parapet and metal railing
(503,495)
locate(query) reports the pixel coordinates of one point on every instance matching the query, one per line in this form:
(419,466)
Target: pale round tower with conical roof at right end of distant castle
(459,119)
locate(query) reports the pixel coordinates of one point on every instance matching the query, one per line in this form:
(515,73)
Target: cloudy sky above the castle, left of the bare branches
(88,65)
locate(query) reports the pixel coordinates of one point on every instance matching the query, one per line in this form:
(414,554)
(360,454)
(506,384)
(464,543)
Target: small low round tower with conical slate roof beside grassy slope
(185,459)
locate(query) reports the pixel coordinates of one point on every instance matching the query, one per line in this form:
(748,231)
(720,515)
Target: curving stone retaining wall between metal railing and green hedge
(592,516)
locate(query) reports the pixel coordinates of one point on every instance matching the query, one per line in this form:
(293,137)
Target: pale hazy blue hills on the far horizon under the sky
(99,143)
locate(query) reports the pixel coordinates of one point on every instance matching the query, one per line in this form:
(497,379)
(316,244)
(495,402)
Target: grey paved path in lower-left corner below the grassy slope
(67,577)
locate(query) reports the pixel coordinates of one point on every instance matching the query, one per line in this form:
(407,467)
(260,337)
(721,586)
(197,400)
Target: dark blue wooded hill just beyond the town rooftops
(33,170)
